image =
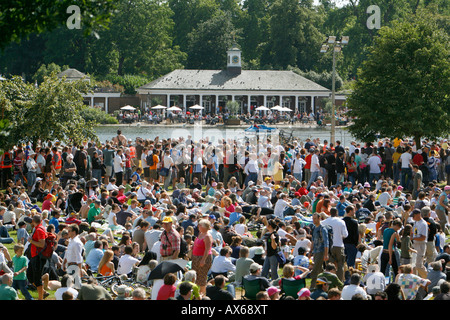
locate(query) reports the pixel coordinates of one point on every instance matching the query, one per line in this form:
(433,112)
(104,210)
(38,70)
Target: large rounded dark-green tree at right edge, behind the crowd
(403,87)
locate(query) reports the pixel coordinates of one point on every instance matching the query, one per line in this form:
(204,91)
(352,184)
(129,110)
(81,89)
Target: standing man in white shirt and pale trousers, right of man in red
(73,258)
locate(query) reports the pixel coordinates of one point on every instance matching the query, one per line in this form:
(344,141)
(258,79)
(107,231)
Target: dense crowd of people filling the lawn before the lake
(309,220)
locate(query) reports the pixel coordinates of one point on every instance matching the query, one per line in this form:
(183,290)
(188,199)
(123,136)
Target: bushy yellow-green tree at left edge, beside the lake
(51,111)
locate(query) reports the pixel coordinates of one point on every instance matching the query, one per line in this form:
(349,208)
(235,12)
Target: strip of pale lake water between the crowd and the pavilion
(214,133)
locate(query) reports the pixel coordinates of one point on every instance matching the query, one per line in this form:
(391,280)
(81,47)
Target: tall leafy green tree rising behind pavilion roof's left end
(141,34)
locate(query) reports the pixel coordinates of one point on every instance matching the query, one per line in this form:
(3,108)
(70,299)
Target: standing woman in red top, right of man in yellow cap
(201,254)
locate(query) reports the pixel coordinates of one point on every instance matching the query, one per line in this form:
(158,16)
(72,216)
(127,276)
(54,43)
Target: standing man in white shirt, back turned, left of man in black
(337,254)
